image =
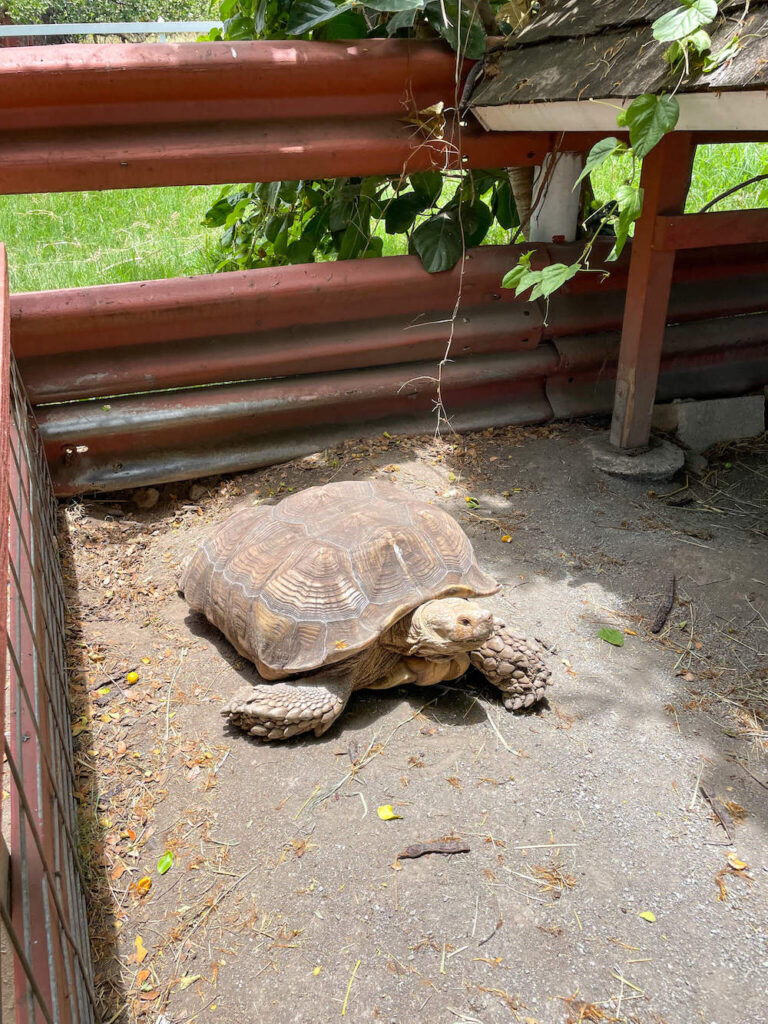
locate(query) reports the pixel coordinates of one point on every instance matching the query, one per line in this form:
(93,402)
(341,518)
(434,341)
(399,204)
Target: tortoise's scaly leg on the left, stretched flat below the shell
(279,711)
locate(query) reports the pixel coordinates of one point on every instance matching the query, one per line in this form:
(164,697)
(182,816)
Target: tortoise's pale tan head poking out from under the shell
(441,629)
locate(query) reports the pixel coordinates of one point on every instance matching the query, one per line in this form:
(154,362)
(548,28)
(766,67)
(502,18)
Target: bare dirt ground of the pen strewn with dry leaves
(599,885)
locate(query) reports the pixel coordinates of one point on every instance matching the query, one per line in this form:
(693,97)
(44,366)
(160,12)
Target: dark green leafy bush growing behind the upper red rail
(441,215)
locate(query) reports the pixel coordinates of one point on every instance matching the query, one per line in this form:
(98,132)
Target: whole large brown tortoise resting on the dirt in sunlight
(349,586)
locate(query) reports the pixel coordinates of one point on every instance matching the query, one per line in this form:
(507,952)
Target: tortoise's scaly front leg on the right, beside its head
(515,665)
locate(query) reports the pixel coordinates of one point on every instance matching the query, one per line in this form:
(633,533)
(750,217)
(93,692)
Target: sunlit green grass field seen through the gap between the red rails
(79,239)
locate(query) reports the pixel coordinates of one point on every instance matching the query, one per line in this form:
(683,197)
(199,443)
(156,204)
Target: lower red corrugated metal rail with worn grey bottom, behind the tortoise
(300,358)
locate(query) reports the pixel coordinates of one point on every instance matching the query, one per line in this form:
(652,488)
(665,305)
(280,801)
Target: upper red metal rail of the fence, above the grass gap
(81,117)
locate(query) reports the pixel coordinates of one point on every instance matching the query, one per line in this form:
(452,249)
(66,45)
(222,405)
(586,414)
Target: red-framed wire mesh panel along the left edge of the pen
(41,905)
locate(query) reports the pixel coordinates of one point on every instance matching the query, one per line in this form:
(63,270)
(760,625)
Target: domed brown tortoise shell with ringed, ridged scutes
(319,577)
